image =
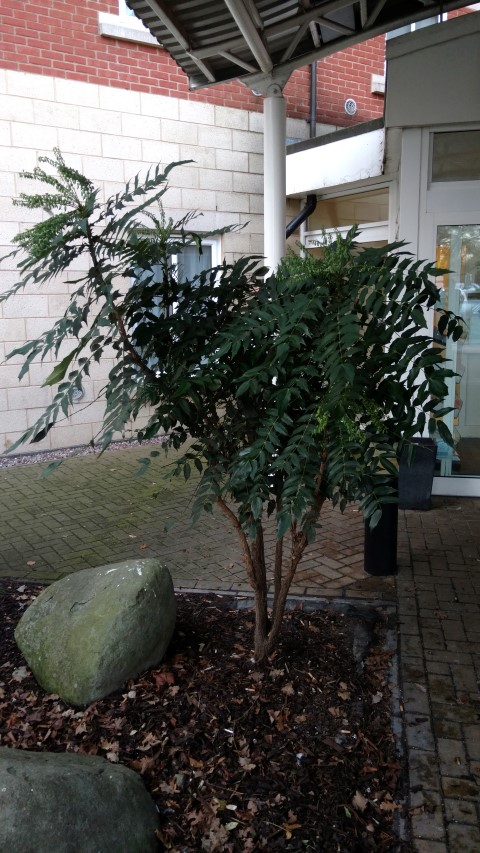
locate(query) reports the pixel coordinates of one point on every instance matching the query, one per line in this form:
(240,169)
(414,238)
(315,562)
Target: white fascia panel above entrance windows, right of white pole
(335,163)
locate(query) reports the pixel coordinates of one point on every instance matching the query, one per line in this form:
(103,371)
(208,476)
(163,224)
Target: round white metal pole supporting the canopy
(275,186)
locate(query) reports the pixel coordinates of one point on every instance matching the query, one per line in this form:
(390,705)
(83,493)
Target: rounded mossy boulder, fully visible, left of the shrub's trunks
(86,634)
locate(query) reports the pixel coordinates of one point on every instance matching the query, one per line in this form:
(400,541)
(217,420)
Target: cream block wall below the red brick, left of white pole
(110,135)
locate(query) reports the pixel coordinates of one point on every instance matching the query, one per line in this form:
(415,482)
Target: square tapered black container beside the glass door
(415,480)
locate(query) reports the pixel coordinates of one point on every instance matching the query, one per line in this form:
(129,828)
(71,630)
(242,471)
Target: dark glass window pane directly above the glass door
(456,156)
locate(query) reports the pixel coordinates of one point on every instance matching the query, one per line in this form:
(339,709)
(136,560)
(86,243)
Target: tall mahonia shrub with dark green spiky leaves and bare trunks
(285,390)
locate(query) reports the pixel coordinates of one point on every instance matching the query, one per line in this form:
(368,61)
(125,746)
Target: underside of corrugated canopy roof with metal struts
(214,41)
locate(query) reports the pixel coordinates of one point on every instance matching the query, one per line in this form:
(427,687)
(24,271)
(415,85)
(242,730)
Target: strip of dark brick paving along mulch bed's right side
(438,588)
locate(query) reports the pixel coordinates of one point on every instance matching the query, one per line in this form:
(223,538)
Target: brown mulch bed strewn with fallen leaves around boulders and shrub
(297,755)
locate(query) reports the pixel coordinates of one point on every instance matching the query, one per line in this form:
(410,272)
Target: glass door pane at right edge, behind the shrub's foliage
(458,251)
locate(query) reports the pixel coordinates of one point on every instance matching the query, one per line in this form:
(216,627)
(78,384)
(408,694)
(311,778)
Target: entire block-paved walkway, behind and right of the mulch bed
(93,511)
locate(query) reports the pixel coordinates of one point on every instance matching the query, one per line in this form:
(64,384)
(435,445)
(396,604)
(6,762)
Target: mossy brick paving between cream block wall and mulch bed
(95,510)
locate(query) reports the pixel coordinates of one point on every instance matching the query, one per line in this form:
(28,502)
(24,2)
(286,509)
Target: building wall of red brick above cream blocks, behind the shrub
(115,107)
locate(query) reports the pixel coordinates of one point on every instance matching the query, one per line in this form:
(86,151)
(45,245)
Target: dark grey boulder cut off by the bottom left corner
(65,803)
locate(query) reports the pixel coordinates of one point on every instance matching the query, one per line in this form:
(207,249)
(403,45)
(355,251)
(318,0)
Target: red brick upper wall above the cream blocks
(60,38)
